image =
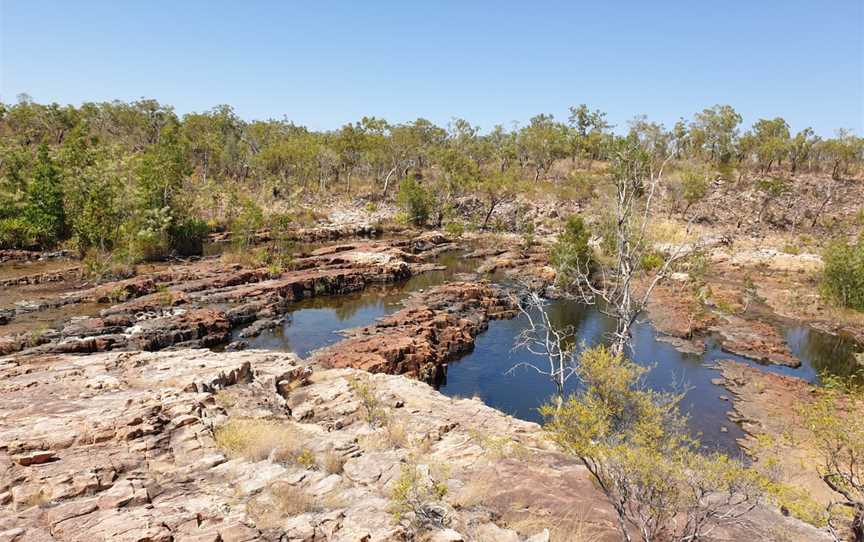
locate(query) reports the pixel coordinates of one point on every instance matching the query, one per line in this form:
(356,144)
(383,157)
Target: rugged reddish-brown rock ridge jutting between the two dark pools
(418,340)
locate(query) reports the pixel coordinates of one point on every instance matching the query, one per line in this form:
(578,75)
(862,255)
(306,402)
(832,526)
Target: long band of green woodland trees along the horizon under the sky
(139,177)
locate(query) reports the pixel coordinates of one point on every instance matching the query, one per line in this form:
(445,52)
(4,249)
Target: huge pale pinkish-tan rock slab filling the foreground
(194,445)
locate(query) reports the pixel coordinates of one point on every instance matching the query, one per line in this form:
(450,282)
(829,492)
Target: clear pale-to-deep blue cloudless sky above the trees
(326,63)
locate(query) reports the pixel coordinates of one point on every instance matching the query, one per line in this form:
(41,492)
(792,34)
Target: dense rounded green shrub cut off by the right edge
(843,276)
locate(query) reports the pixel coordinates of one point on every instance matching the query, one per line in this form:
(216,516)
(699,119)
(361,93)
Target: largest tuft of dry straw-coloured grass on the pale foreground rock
(257,439)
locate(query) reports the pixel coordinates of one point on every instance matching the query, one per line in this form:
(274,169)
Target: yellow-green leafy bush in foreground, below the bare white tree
(633,442)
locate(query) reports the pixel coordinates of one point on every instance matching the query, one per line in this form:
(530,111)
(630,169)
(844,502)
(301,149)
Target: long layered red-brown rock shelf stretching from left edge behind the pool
(199,303)
